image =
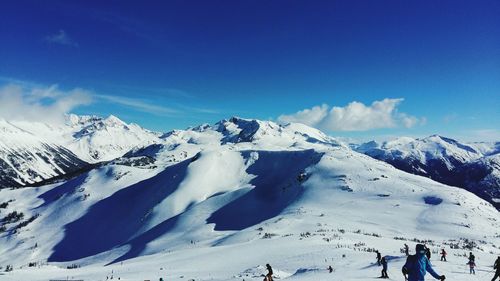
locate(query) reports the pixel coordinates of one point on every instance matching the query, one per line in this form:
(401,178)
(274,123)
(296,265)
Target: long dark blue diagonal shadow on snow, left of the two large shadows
(113,221)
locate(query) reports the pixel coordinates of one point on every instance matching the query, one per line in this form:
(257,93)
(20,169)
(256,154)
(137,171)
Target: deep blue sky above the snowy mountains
(174,64)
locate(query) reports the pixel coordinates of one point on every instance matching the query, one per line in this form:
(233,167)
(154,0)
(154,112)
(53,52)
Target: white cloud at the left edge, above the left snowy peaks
(47,104)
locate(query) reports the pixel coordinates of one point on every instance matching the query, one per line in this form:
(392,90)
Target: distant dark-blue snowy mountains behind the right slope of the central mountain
(474,167)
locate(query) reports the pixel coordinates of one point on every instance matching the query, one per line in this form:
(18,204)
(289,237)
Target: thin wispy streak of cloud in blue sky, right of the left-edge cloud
(139,105)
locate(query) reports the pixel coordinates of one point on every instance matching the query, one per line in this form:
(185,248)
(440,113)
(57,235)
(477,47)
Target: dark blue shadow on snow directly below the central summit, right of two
(276,187)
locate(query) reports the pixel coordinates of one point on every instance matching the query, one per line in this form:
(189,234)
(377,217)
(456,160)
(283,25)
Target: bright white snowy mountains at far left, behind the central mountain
(32,152)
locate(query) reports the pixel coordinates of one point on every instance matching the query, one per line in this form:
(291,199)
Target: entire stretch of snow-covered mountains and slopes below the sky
(215,201)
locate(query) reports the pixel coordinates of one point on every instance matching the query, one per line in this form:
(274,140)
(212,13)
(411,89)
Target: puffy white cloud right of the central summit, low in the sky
(356,116)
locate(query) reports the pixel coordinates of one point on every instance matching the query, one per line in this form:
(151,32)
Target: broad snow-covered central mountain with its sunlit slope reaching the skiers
(218,203)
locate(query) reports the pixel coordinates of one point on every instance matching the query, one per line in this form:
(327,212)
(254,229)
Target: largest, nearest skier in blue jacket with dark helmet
(417,265)
